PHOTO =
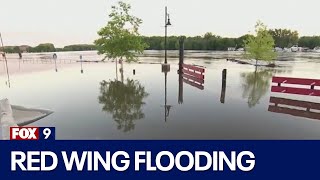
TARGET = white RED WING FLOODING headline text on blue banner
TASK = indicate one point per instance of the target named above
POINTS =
(143, 160)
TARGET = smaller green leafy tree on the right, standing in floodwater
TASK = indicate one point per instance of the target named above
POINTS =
(260, 46)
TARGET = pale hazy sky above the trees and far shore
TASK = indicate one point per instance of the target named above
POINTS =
(64, 22)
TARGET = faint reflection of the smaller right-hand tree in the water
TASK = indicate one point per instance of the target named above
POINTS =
(255, 85)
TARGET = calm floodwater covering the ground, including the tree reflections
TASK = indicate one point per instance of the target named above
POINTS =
(103, 103)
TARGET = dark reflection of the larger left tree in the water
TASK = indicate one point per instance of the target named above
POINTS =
(124, 101)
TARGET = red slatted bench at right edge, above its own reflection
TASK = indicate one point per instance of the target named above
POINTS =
(283, 81)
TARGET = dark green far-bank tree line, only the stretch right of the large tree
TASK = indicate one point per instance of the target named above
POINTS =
(284, 38)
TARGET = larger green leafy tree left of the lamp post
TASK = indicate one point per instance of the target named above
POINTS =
(120, 38)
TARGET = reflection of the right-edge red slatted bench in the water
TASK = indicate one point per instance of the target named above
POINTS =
(294, 104)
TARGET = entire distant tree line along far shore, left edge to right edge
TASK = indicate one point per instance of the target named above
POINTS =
(282, 37)
